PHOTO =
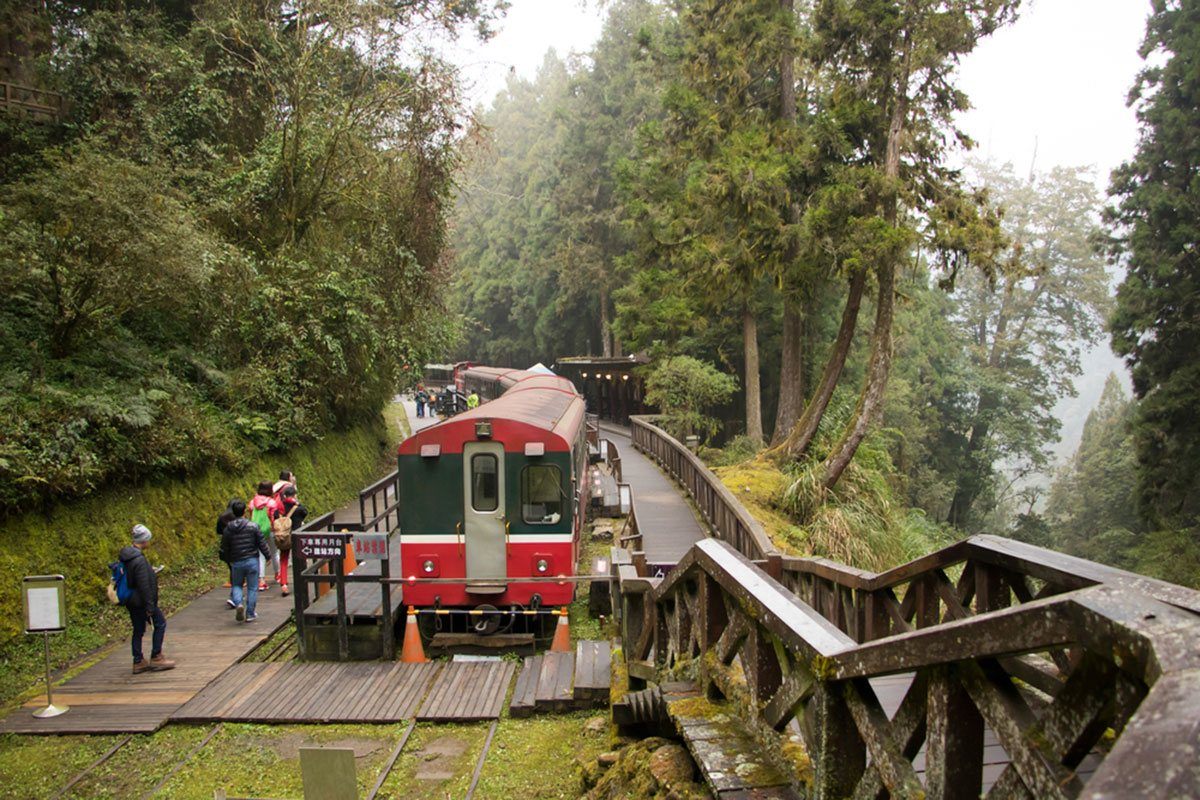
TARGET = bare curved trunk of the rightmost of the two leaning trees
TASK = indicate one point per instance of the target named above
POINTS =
(871, 405)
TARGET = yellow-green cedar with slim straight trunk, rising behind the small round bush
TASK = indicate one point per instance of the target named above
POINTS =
(723, 213)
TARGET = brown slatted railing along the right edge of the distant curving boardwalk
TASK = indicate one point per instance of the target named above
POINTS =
(722, 512)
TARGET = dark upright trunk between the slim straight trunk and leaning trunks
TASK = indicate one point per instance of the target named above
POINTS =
(791, 389)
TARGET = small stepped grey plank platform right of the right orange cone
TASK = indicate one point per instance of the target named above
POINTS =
(563, 682)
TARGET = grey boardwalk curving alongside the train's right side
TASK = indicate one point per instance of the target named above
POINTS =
(668, 524)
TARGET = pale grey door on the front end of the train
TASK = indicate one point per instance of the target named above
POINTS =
(484, 516)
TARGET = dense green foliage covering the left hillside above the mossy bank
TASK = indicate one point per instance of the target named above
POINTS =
(235, 243)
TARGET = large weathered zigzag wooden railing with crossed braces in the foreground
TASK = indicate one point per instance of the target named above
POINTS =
(1061, 659)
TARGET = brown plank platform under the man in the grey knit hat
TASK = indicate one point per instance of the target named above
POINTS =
(205, 639)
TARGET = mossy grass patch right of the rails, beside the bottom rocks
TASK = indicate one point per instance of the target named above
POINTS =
(538, 759)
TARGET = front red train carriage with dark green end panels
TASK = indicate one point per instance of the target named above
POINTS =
(494, 496)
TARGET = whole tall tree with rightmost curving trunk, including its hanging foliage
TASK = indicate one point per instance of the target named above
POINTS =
(895, 63)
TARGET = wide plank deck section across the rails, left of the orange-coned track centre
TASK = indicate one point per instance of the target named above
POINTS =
(313, 693)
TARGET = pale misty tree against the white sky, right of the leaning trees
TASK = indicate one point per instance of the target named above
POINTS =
(1027, 329)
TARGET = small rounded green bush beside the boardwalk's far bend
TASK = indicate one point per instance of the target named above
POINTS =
(685, 389)
